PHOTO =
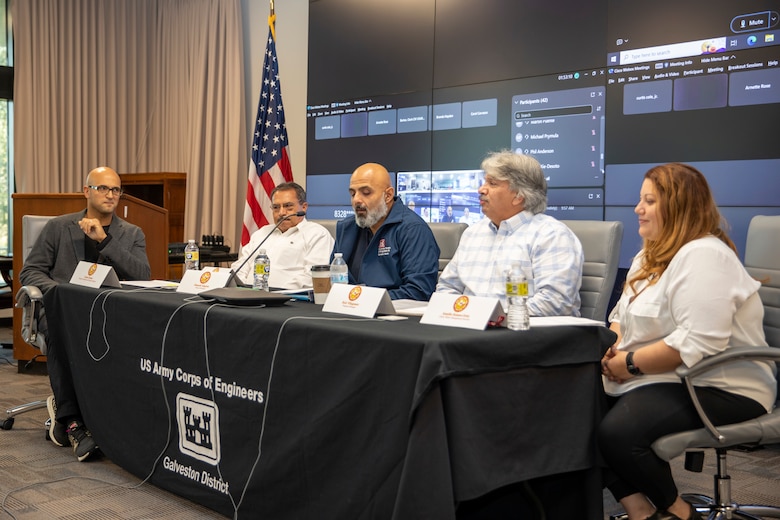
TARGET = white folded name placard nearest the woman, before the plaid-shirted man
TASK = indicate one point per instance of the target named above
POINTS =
(459, 310)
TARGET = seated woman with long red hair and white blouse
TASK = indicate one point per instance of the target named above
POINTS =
(687, 296)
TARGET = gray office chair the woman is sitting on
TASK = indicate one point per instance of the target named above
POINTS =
(762, 260)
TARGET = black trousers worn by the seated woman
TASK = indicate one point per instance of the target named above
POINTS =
(638, 418)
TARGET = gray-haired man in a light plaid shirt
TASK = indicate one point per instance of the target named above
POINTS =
(516, 230)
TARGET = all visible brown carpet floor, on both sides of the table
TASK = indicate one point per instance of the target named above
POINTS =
(39, 480)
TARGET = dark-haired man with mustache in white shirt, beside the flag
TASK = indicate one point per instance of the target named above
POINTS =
(293, 247)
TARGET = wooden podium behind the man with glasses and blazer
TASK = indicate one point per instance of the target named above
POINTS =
(152, 219)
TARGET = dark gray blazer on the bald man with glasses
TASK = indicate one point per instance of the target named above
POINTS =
(60, 247)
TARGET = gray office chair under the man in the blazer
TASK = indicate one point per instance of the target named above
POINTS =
(30, 300)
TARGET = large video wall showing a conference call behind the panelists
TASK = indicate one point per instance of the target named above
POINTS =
(598, 92)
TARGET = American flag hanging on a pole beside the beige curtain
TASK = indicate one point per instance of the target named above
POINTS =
(270, 163)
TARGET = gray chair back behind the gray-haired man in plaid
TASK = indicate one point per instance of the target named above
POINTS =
(601, 247)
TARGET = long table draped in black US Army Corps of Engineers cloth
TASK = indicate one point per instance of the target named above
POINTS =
(290, 412)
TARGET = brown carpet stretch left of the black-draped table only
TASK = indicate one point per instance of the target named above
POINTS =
(39, 480)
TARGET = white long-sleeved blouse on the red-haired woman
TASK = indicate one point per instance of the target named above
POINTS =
(704, 303)
